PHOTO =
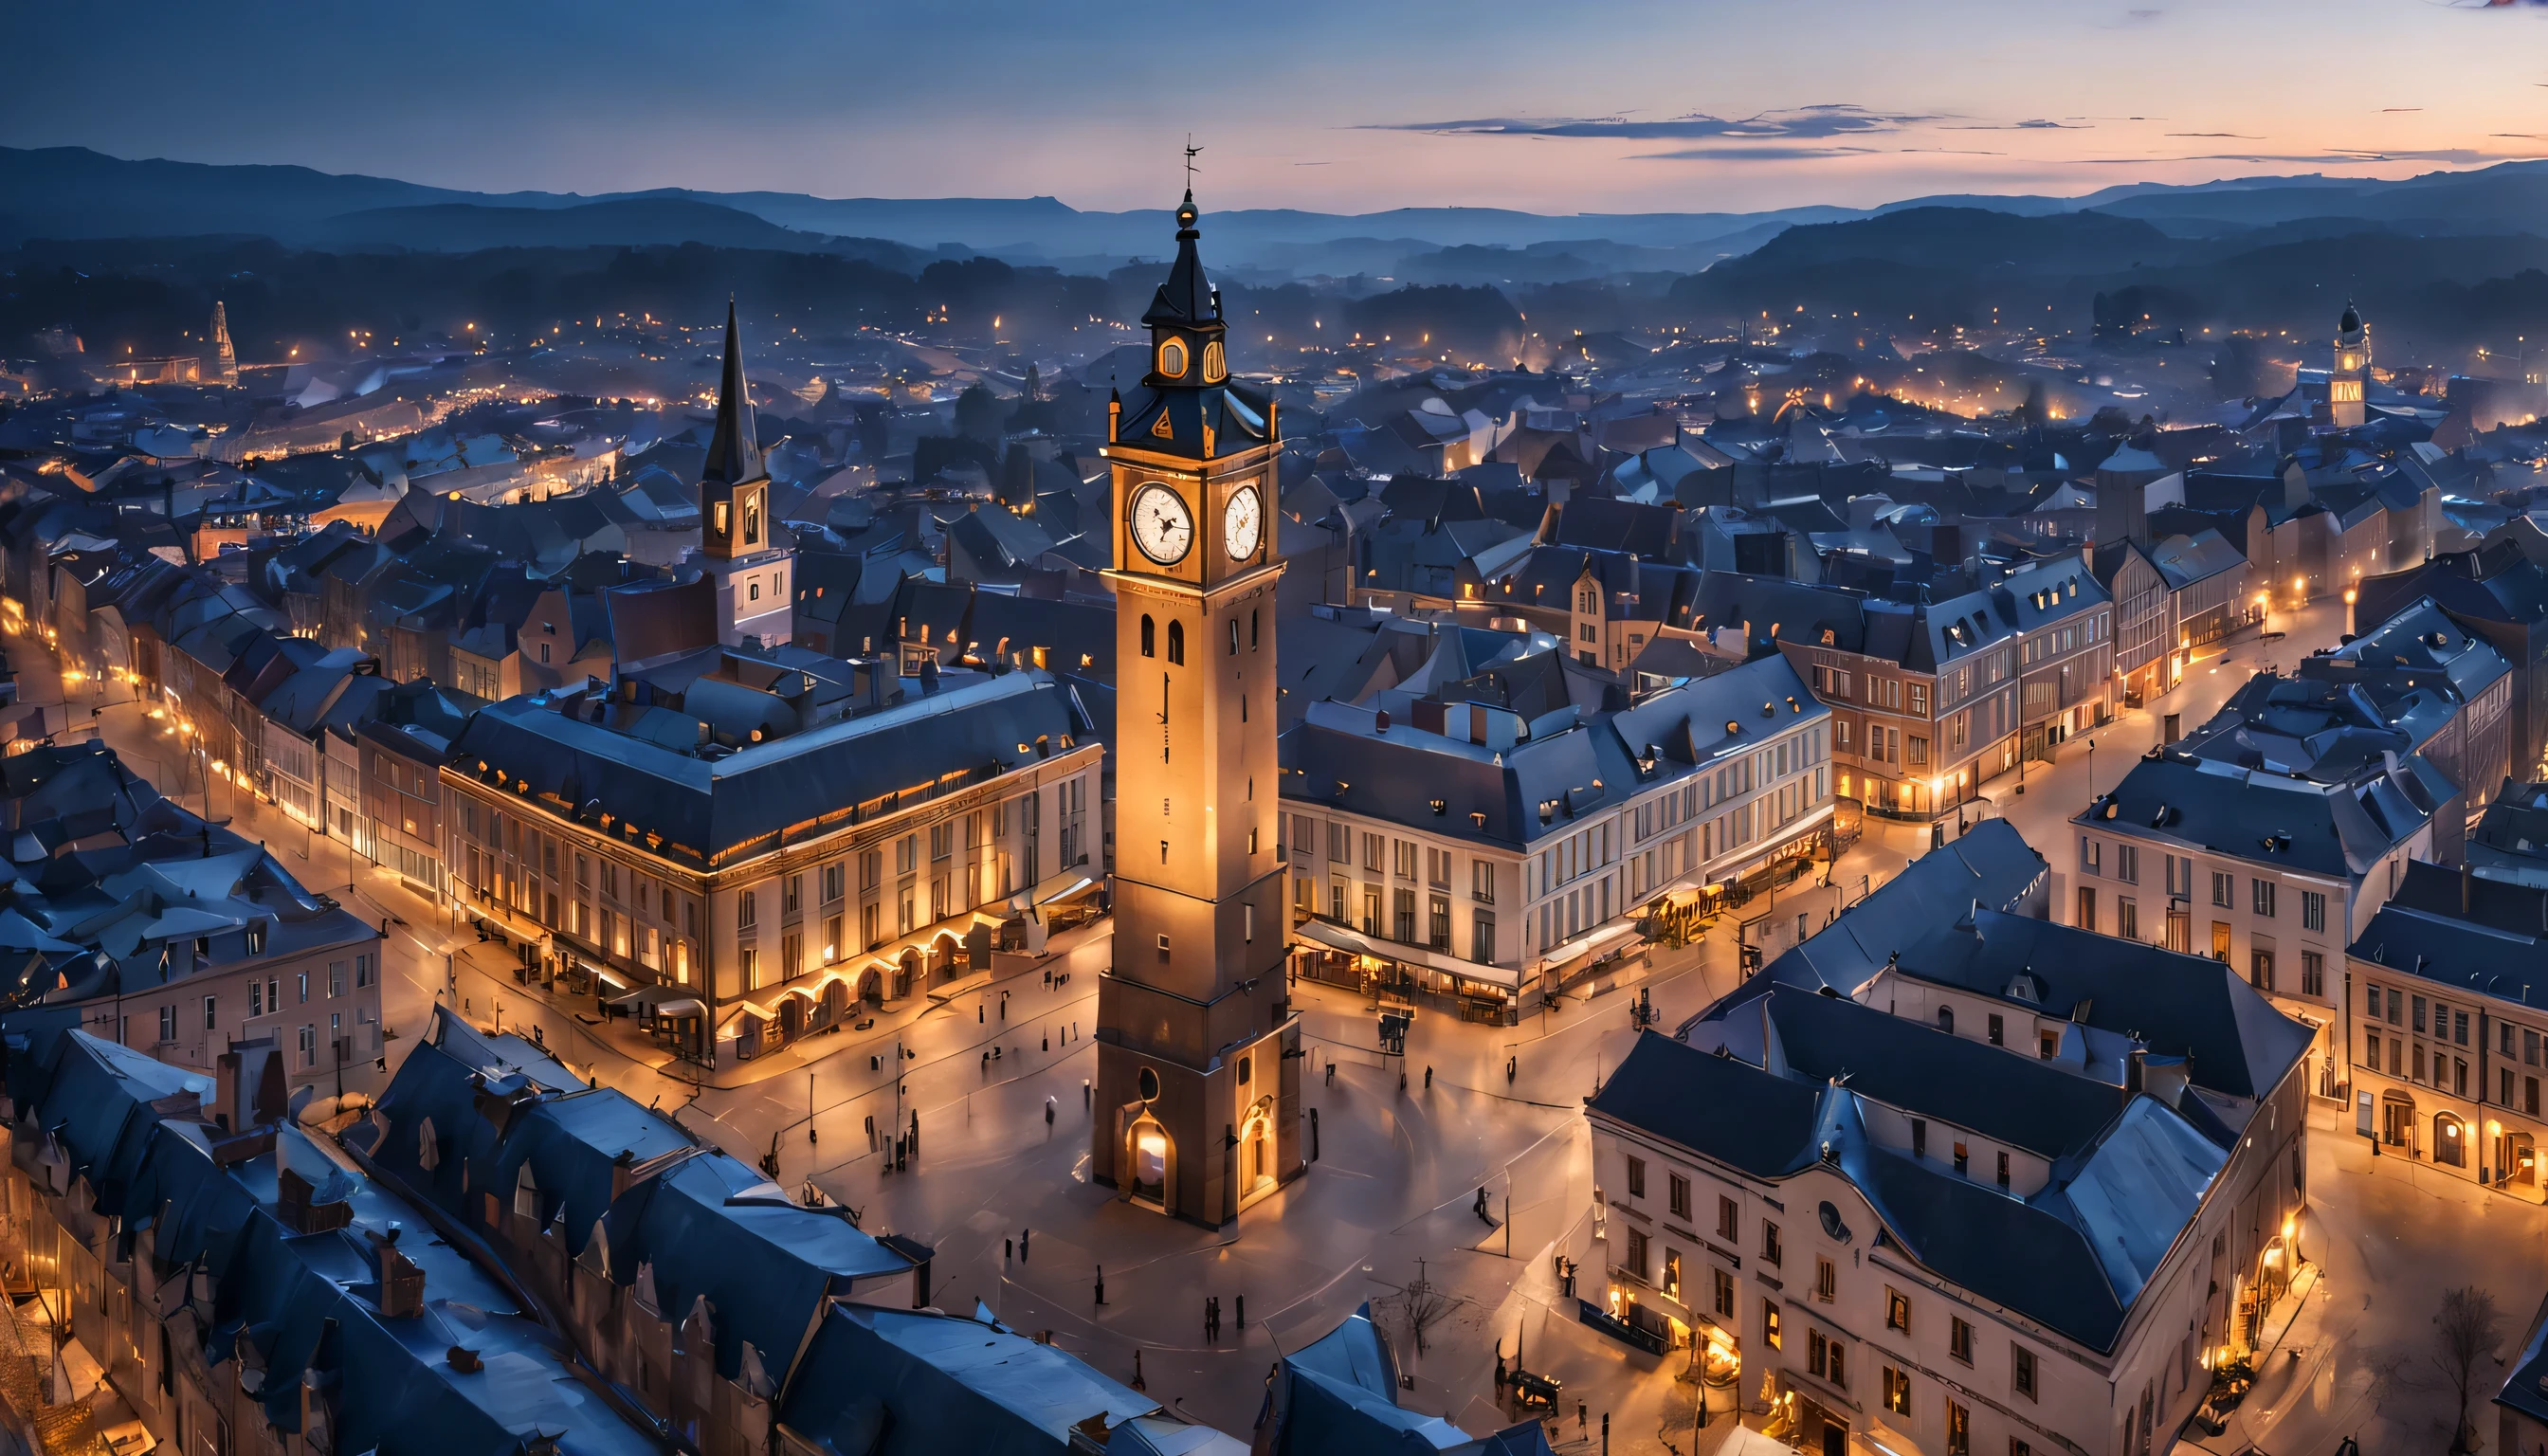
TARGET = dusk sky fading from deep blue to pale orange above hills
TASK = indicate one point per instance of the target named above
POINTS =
(1716, 106)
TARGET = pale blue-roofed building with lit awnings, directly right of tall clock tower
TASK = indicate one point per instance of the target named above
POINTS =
(1479, 830)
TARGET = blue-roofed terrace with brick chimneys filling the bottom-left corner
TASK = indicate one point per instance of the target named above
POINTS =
(223, 1284)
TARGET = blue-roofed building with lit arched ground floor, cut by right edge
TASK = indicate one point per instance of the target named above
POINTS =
(2445, 1021)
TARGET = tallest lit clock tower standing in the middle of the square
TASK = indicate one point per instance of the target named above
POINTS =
(1199, 1052)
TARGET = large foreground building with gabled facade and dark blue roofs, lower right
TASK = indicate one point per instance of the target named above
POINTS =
(1894, 1230)
